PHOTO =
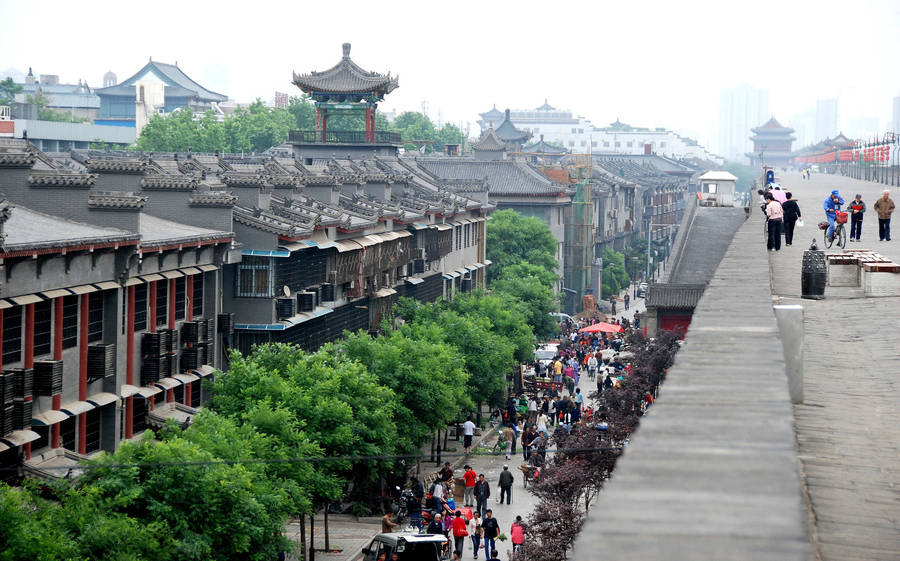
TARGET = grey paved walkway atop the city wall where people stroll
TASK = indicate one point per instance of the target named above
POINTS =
(848, 428)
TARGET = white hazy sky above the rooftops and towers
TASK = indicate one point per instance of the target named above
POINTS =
(646, 62)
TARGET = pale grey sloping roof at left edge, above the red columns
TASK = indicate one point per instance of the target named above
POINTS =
(29, 229)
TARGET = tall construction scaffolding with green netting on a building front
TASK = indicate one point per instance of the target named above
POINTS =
(578, 248)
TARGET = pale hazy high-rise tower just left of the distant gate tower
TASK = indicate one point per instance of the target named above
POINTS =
(740, 109)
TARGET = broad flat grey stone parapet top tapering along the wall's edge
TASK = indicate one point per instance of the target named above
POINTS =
(712, 473)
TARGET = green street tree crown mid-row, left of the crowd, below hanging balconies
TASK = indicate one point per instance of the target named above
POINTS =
(425, 374)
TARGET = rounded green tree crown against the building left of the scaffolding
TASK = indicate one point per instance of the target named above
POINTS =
(512, 238)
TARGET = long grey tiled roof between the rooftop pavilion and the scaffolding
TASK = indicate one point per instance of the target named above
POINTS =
(505, 177)
